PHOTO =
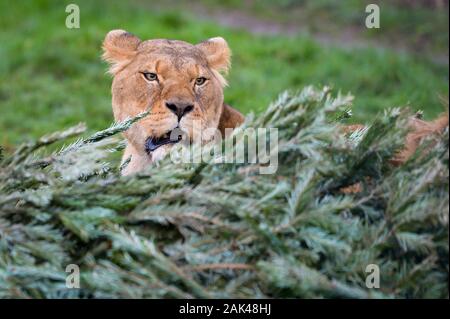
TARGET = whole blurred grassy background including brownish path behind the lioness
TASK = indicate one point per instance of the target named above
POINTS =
(52, 77)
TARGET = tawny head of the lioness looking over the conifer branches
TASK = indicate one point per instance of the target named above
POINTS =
(178, 82)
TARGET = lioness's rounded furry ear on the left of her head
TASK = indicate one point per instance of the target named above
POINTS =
(119, 47)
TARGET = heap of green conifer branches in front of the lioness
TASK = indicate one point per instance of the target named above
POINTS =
(206, 230)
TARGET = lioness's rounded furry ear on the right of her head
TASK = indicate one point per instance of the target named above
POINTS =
(217, 53)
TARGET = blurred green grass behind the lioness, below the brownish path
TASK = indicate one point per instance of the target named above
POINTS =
(52, 77)
